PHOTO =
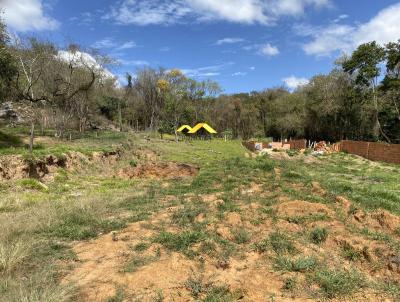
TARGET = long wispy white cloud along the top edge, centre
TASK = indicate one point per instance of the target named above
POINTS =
(264, 12)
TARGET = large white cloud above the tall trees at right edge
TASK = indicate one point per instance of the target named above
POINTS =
(383, 28)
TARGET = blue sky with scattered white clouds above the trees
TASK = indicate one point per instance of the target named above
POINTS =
(245, 45)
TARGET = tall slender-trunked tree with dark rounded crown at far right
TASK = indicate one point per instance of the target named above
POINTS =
(364, 64)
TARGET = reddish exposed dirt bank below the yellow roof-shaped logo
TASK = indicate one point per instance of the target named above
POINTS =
(159, 170)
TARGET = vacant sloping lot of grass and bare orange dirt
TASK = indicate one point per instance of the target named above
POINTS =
(127, 217)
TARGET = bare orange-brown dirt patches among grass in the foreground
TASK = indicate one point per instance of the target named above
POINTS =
(99, 272)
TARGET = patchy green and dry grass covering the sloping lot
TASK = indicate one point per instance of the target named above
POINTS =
(41, 223)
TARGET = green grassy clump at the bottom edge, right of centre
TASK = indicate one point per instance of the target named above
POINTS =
(335, 283)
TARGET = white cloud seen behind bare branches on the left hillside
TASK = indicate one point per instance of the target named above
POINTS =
(81, 59)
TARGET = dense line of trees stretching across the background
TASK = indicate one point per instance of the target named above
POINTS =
(70, 90)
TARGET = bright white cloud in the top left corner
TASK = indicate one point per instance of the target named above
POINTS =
(27, 15)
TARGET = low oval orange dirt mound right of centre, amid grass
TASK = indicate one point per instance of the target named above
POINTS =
(302, 208)
